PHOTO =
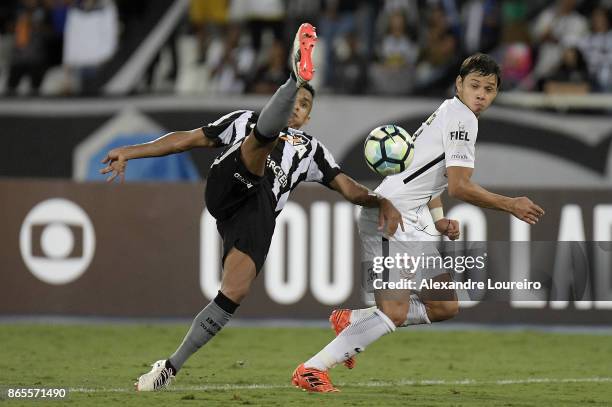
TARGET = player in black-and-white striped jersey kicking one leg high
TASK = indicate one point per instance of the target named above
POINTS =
(266, 156)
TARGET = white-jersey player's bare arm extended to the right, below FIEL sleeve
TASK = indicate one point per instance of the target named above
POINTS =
(460, 186)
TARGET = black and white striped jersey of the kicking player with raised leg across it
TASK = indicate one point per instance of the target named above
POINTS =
(297, 156)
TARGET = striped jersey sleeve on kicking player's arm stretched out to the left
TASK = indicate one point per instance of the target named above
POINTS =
(230, 128)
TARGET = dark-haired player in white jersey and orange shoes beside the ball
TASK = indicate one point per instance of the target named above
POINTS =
(444, 157)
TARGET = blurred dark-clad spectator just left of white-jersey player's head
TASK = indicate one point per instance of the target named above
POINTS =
(438, 54)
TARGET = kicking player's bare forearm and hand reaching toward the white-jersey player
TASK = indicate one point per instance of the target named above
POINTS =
(358, 194)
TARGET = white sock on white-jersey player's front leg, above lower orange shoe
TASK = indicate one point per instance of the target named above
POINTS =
(354, 339)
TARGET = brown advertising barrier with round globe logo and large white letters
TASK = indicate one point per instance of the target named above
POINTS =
(116, 250)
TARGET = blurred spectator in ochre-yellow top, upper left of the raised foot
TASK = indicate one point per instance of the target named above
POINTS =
(208, 19)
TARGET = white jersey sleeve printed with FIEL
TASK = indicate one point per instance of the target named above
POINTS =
(460, 141)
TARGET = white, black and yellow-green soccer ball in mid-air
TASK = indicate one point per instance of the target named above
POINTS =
(388, 150)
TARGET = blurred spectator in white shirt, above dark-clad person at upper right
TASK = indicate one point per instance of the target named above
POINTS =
(556, 27)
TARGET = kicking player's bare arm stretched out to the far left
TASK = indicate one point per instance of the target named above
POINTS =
(171, 143)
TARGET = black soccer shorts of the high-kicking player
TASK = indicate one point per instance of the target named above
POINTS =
(243, 206)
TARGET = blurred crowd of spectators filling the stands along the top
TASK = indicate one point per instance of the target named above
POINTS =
(383, 47)
